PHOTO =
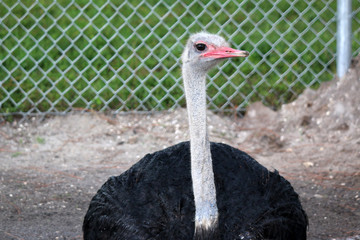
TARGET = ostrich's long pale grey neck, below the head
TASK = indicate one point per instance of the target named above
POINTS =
(206, 212)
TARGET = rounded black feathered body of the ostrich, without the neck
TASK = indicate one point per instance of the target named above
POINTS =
(154, 200)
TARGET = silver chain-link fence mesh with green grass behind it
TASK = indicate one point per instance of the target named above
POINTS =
(115, 55)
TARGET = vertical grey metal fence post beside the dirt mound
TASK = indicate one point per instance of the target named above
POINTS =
(343, 36)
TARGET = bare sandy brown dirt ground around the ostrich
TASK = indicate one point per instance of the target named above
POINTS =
(51, 169)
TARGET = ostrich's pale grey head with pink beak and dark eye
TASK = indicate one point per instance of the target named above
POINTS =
(204, 50)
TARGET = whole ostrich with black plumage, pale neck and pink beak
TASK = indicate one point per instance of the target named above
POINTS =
(197, 189)
